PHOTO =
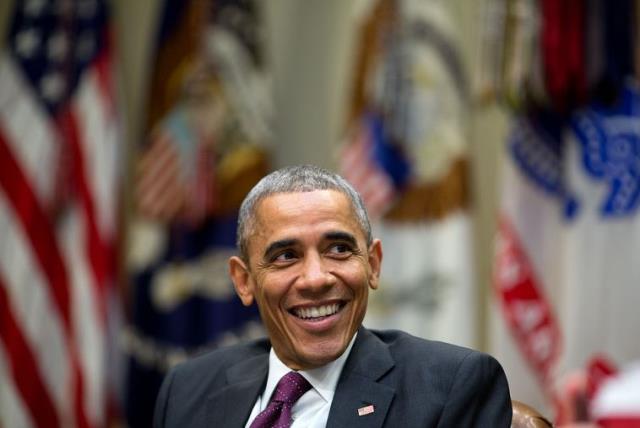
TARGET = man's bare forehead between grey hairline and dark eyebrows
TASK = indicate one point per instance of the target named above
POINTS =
(295, 212)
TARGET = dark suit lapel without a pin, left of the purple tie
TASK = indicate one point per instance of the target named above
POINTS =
(232, 404)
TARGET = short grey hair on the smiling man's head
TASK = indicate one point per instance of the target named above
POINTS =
(299, 178)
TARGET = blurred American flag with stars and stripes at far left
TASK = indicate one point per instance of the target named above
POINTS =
(58, 203)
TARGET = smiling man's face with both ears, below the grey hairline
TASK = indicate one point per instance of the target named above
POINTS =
(309, 271)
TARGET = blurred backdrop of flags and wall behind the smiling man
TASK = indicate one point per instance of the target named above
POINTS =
(496, 144)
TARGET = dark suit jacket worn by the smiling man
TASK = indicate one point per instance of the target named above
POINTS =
(411, 382)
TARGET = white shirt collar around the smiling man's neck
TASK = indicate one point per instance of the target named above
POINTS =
(323, 379)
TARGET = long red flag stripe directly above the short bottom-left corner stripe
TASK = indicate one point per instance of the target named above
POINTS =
(40, 233)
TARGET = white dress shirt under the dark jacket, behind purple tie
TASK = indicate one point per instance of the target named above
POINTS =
(312, 409)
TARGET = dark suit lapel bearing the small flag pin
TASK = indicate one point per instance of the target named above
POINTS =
(359, 388)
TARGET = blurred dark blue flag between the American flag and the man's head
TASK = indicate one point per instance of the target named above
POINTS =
(205, 148)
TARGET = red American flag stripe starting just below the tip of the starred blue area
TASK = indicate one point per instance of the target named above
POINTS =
(95, 246)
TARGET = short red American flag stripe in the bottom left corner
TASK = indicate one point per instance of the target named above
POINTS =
(26, 373)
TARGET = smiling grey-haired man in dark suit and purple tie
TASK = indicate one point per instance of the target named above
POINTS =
(308, 260)
